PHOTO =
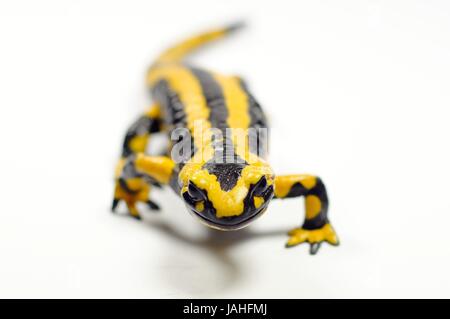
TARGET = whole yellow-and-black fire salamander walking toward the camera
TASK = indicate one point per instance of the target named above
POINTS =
(225, 181)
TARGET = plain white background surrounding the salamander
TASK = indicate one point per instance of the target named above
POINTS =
(356, 91)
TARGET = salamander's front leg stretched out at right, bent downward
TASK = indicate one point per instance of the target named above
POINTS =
(316, 227)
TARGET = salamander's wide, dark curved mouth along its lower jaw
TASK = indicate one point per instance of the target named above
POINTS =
(229, 223)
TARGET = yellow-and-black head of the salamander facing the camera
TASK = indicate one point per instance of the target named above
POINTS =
(227, 196)
